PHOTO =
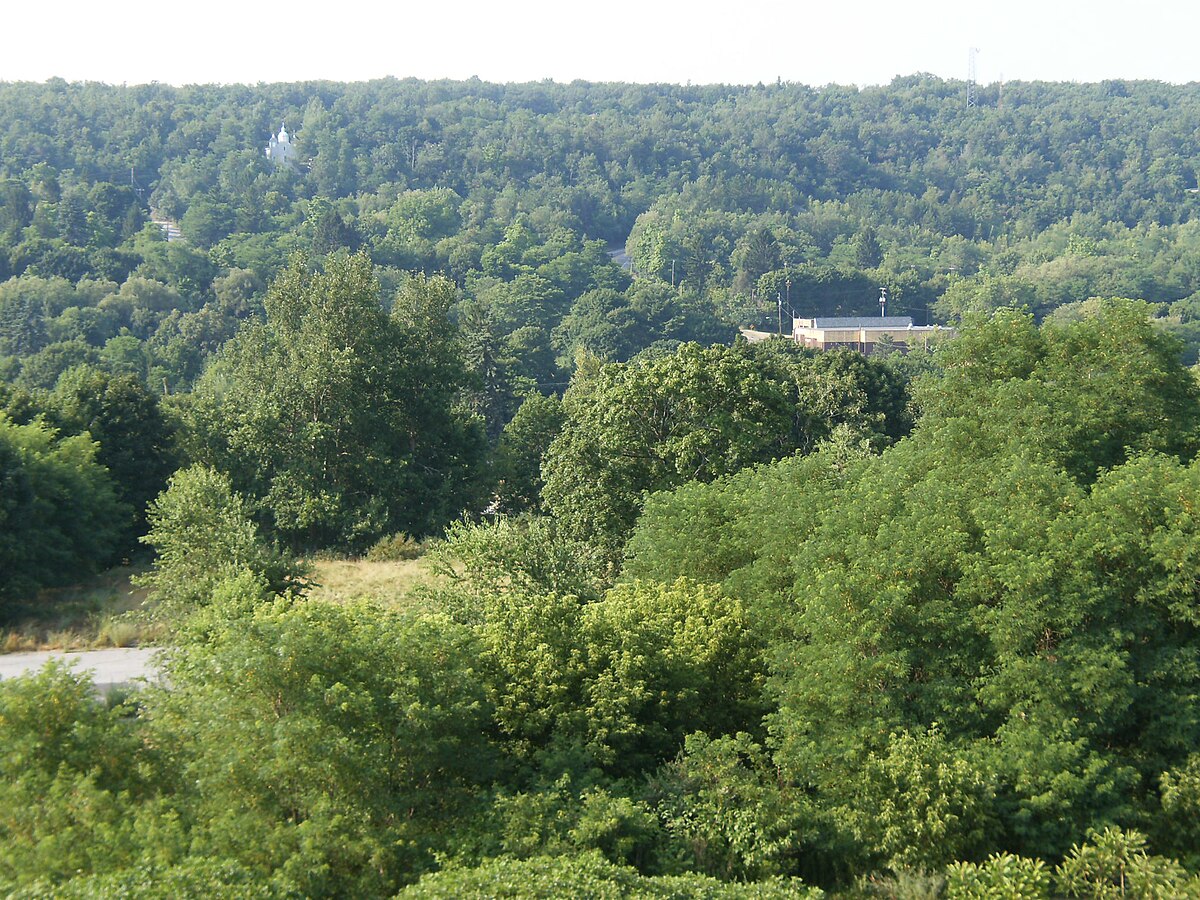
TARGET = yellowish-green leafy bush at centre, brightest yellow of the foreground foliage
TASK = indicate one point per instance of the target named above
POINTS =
(619, 683)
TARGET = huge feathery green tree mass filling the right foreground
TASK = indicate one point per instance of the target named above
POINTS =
(1019, 574)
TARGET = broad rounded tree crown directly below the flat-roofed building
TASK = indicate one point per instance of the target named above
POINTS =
(698, 415)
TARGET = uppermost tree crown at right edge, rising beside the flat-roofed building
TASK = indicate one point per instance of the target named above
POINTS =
(1085, 394)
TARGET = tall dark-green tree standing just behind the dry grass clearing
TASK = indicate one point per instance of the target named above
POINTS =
(338, 418)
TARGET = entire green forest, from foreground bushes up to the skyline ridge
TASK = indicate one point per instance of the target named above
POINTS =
(711, 619)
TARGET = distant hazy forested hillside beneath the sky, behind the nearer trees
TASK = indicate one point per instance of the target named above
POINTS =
(1043, 195)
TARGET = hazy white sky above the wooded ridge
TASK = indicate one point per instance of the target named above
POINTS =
(749, 41)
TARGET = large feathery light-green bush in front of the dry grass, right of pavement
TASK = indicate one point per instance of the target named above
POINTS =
(338, 747)
